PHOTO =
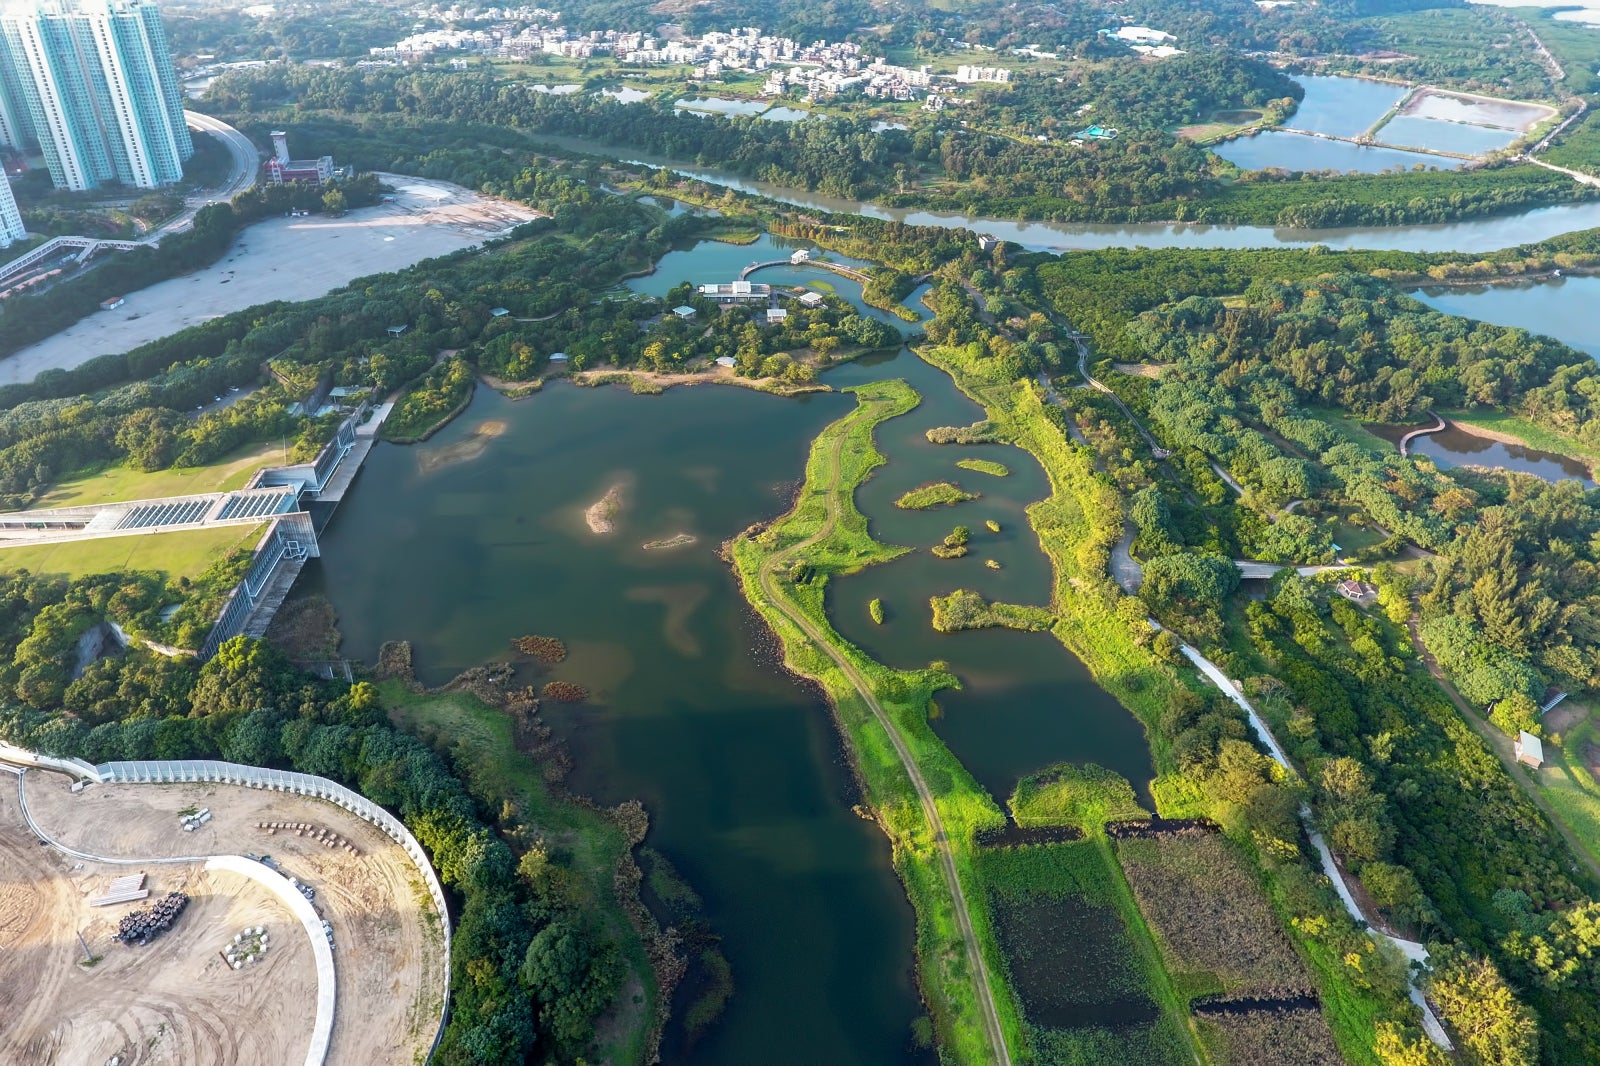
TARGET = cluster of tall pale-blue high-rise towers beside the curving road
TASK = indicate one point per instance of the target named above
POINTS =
(92, 84)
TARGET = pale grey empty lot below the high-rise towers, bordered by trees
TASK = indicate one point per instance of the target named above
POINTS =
(284, 258)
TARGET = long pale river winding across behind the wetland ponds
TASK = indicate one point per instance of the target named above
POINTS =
(1486, 234)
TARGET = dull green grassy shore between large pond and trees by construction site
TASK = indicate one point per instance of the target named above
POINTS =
(484, 750)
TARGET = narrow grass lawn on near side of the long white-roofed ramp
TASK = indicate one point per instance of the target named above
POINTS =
(177, 555)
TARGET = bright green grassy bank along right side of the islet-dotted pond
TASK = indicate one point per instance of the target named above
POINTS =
(1078, 526)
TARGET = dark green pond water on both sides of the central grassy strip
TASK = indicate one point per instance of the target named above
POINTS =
(740, 766)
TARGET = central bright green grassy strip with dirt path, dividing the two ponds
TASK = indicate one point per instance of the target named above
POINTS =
(884, 715)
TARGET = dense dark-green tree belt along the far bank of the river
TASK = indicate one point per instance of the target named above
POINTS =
(991, 164)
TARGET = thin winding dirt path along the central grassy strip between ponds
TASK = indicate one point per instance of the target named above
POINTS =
(903, 751)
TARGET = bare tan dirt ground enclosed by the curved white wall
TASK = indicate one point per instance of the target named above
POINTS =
(388, 960)
